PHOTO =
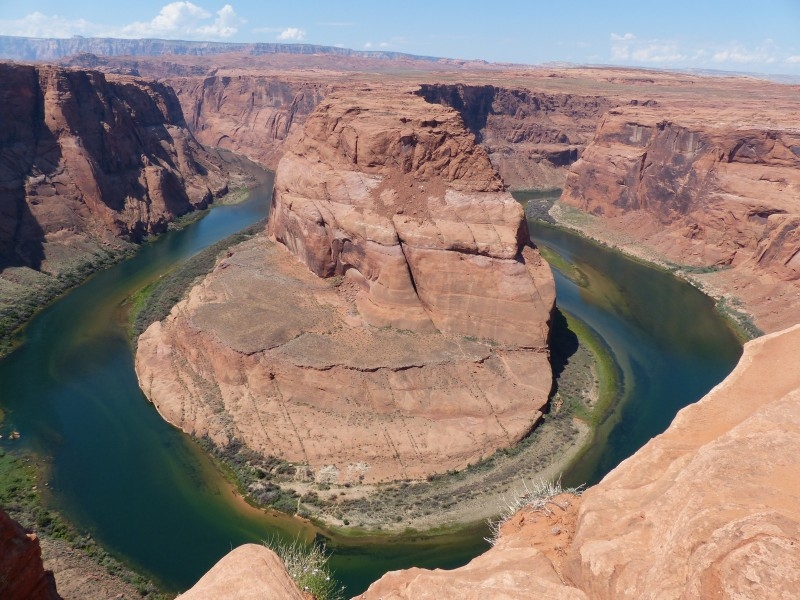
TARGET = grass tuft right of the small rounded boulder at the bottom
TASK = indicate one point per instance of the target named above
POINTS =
(308, 568)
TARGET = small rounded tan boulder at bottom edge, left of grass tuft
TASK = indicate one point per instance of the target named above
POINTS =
(248, 572)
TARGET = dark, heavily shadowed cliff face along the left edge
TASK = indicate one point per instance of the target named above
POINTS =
(87, 154)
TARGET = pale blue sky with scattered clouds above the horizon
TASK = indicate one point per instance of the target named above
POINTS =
(759, 36)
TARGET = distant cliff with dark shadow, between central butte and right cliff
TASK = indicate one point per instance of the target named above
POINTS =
(531, 136)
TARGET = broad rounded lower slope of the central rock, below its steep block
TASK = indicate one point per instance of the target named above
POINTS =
(266, 352)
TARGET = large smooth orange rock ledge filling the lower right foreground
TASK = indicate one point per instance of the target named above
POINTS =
(706, 510)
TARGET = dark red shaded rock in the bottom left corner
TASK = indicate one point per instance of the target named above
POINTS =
(22, 576)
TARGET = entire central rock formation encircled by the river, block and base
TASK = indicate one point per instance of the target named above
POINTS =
(410, 337)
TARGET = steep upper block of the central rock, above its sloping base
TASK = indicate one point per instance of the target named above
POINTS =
(400, 201)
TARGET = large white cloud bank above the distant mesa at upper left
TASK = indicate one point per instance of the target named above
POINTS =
(175, 20)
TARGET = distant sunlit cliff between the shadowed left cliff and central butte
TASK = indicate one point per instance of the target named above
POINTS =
(249, 114)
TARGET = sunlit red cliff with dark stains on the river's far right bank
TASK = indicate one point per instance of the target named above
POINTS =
(702, 190)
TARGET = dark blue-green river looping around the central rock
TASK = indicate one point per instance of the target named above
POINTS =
(147, 493)
